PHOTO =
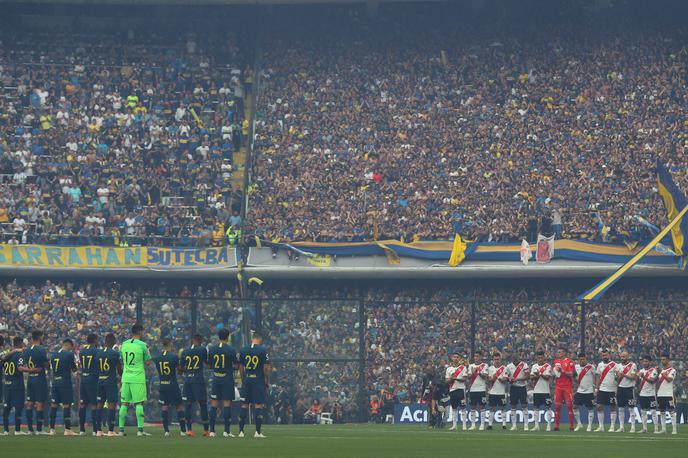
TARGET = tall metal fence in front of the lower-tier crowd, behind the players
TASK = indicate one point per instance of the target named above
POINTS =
(343, 349)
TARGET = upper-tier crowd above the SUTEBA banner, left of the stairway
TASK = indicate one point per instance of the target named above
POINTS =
(119, 139)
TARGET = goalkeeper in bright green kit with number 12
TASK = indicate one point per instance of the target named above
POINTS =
(135, 356)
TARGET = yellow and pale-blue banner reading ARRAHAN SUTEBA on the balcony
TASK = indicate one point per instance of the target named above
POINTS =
(114, 257)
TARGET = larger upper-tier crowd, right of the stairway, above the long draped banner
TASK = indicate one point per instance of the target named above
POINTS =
(373, 127)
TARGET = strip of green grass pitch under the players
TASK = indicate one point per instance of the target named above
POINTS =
(354, 441)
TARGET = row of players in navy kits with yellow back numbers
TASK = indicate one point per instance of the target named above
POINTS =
(98, 369)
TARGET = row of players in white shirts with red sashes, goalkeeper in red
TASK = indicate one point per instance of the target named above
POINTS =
(469, 388)
